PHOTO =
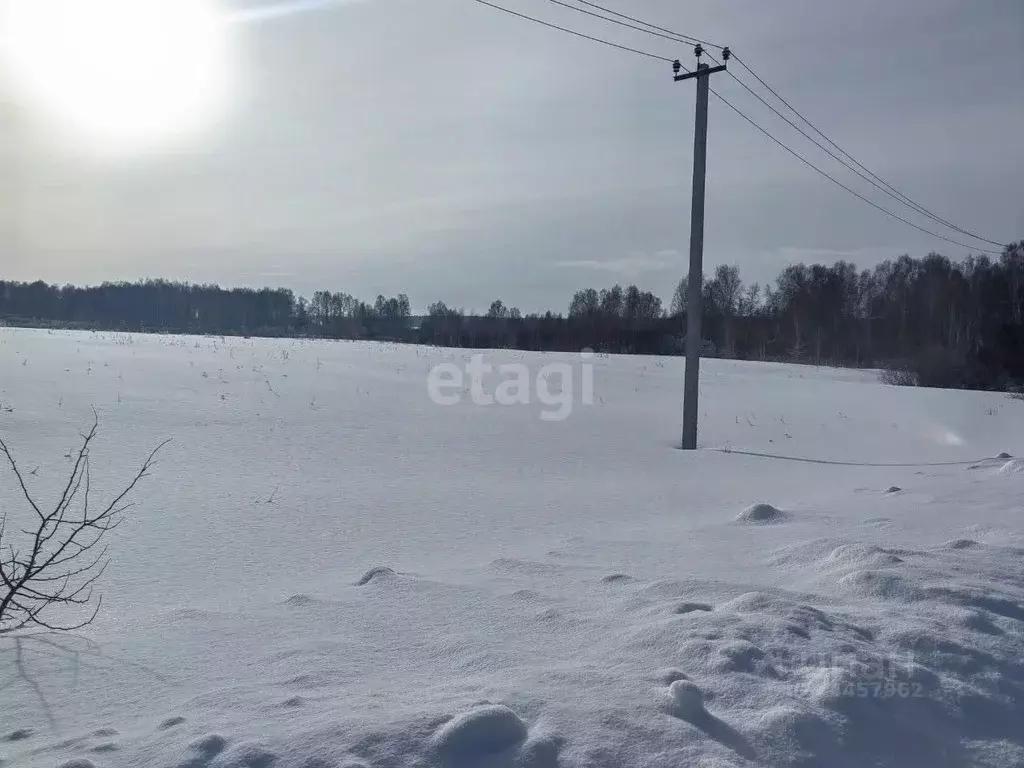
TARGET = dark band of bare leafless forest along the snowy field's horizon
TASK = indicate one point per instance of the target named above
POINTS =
(932, 322)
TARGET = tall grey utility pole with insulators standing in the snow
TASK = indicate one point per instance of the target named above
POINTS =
(694, 304)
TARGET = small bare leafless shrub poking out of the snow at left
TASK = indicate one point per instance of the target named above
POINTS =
(64, 558)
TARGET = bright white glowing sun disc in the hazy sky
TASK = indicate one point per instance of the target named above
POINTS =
(123, 74)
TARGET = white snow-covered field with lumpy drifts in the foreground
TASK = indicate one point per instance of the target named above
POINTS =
(329, 571)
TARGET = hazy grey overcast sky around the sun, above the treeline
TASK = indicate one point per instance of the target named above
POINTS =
(451, 152)
